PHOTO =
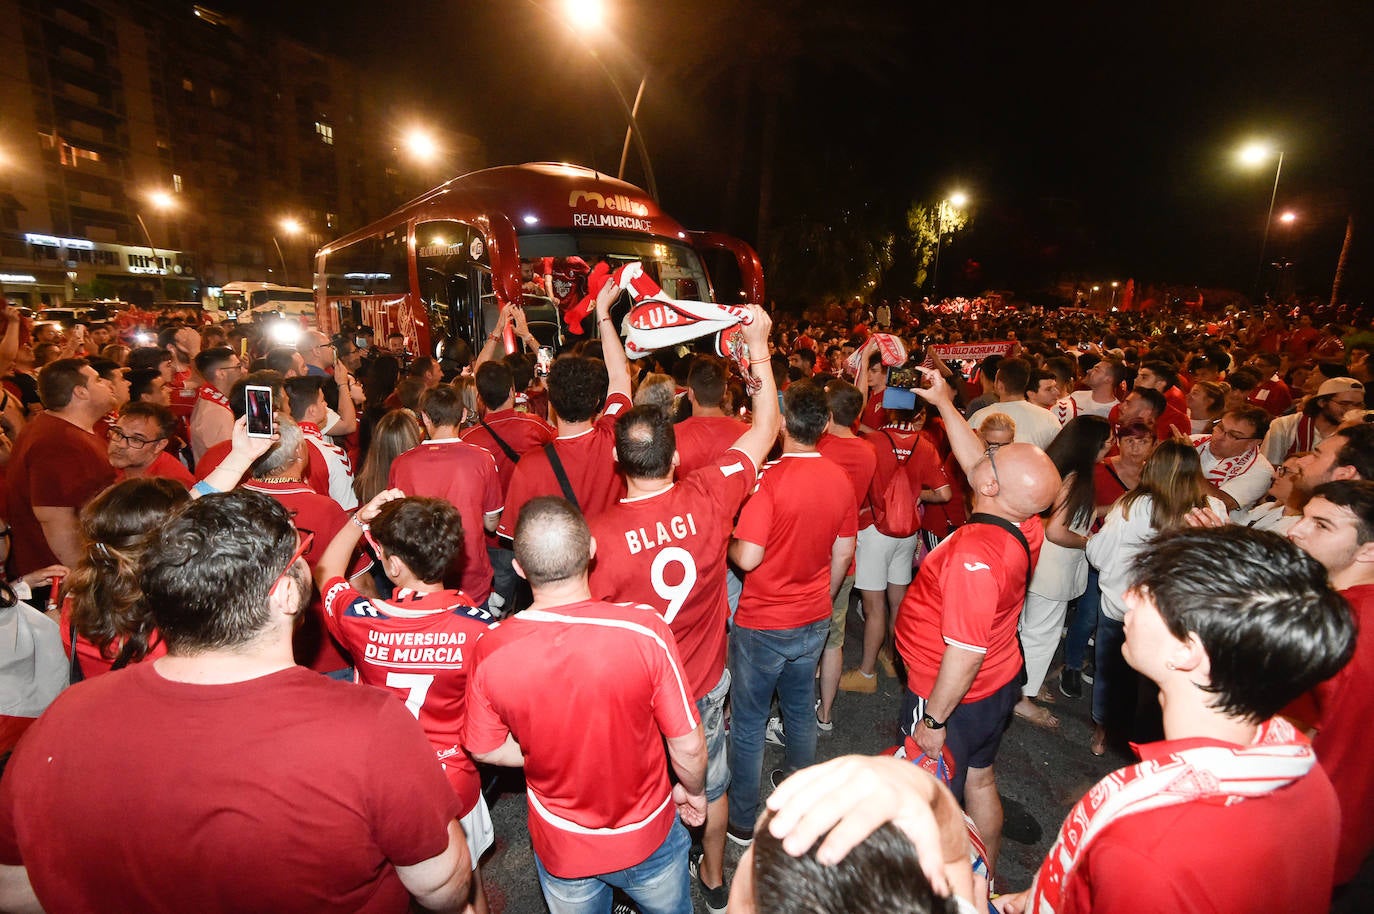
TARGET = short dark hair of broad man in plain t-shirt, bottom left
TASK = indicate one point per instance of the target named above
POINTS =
(210, 570)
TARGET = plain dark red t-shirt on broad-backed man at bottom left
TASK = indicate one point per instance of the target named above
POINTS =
(306, 794)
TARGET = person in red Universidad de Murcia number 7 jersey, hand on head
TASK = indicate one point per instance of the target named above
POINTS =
(418, 643)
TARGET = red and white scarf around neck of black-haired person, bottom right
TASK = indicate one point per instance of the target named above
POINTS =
(1279, 757)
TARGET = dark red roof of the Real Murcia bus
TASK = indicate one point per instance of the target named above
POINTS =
(537, 199)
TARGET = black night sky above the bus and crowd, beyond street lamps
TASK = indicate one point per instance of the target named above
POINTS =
(1096, 140)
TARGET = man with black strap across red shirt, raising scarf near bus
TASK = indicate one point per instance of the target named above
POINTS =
(587, 397)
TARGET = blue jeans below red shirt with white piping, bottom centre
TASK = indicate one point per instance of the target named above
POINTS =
(659, 886)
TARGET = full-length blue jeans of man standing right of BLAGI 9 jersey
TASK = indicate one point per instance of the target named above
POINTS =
(763, 662)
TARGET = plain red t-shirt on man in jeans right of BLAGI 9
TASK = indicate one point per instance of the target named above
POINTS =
(803, 505)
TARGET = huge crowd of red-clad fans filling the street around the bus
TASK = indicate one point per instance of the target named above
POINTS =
(627, 577)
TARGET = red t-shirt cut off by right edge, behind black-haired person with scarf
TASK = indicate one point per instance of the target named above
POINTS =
(1342, 742)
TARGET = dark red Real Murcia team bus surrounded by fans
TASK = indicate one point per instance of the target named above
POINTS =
(440, 269)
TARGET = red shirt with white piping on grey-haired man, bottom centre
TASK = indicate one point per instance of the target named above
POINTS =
(590, 718)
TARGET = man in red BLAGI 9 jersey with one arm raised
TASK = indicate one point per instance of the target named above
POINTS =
(664, 546)
